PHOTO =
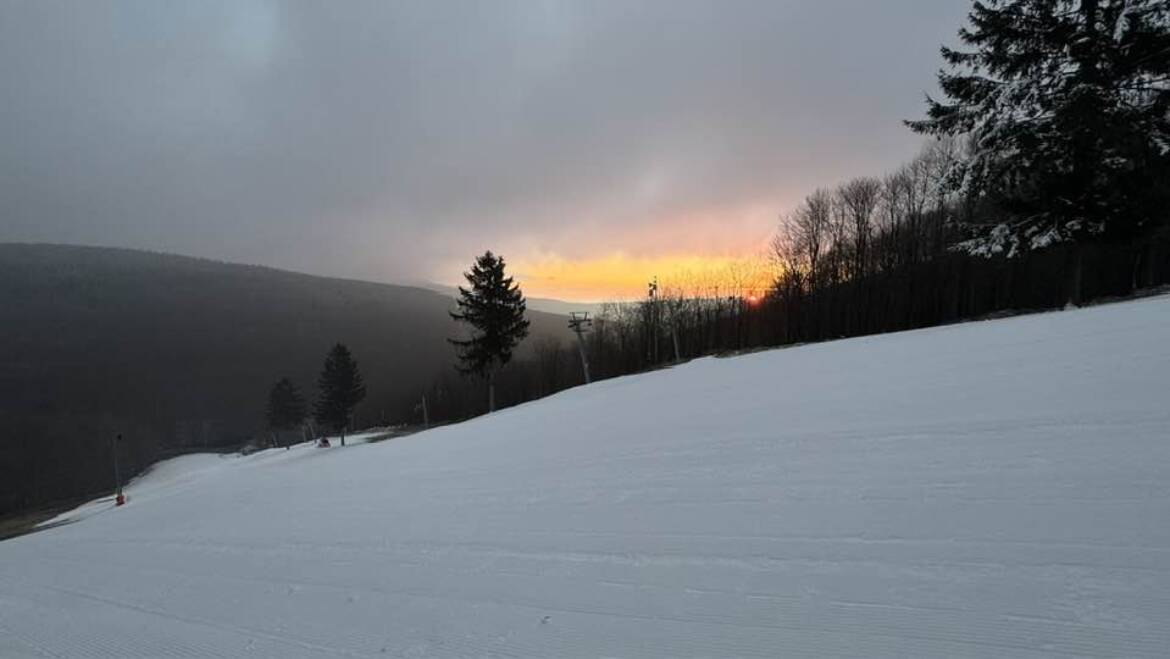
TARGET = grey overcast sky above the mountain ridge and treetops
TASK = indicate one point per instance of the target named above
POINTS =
(395, 141)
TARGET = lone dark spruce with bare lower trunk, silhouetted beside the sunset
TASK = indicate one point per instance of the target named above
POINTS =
(494, 307)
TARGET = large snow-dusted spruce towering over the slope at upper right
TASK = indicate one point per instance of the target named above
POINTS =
(1068, 108)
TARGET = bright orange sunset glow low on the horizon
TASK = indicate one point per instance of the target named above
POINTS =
(622, 277)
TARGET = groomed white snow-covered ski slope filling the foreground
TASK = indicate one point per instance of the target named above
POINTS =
(993, 489)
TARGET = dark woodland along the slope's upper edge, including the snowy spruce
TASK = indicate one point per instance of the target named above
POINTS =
(1045, 183)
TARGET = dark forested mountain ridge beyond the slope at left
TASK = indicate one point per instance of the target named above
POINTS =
(177, 352)
